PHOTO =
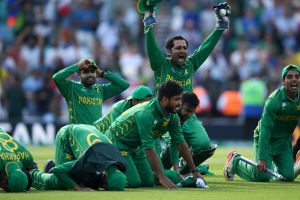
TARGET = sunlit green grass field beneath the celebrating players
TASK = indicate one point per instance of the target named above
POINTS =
(219, 187)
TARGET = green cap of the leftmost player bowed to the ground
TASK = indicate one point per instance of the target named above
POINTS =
(17, 179)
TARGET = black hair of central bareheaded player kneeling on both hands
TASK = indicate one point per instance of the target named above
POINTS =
(169, 89)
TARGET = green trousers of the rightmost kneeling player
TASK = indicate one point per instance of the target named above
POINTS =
(280, 159)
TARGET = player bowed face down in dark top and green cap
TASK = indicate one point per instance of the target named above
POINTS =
(101, 166)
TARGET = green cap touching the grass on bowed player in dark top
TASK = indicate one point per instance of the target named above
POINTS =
(116, 180)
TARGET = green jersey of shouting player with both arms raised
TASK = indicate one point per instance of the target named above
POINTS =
(165, 70)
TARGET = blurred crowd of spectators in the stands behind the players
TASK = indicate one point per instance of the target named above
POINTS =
(40, 37)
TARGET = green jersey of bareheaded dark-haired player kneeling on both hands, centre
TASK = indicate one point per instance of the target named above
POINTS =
(142, 124)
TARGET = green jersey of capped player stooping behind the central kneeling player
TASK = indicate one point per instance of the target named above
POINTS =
(115, 111)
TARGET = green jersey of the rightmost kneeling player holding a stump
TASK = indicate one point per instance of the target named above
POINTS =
(279, 119)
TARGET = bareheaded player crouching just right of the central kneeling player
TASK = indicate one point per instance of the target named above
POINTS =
(198, 143)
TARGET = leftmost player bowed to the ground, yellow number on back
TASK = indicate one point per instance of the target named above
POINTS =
(14, 161)
